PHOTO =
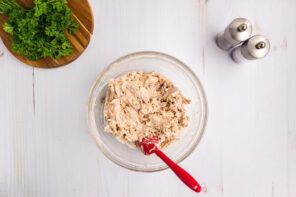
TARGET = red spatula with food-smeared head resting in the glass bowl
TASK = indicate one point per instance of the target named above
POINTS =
(148, 147)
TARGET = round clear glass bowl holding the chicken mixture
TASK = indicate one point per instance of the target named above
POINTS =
(182, 77)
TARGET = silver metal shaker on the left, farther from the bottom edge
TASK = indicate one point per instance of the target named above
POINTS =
(239, 30)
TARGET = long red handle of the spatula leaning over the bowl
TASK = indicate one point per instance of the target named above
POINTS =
(180, 172)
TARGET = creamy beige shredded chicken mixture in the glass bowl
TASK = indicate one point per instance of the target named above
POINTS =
(144, 104)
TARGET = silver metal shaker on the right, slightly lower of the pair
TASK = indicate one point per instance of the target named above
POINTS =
(256, 47)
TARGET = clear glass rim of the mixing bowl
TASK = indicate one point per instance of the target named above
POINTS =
(95, 135)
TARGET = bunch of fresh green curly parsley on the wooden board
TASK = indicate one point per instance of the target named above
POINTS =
(39, 32)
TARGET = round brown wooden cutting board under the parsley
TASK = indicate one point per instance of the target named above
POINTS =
(82, 13)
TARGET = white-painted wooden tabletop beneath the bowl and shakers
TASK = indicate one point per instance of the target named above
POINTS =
(248, 150)
